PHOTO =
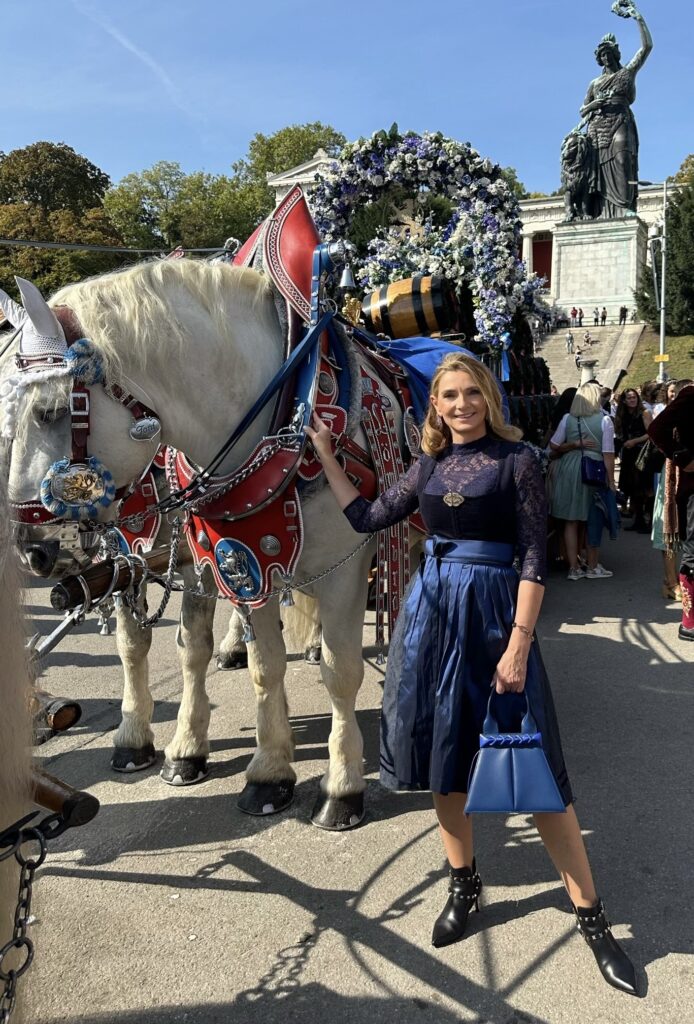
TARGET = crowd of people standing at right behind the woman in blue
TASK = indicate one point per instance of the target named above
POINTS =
(652, 490)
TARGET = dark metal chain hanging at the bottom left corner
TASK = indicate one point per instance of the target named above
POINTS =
(20, 941)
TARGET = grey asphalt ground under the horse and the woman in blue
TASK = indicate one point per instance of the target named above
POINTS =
(173, 907)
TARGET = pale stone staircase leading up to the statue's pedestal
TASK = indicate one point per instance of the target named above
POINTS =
(613, 349)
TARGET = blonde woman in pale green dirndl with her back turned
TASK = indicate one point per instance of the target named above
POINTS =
(585, 431)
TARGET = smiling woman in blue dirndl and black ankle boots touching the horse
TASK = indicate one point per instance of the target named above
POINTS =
(467, 626)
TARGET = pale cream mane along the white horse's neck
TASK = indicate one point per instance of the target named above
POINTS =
(133, 311)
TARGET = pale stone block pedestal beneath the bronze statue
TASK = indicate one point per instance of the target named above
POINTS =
(597, 264)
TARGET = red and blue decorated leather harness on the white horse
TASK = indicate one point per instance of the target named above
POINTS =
(246, 526)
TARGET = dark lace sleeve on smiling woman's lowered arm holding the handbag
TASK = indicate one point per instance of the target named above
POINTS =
(531, 517)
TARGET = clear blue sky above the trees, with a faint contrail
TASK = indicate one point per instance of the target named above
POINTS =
(132, 82)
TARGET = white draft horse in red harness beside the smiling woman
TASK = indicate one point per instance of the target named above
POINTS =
(198, 345)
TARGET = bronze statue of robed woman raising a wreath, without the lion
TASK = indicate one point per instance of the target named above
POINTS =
(611, 124)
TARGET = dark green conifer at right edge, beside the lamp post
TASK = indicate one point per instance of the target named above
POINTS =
(680, 272)
